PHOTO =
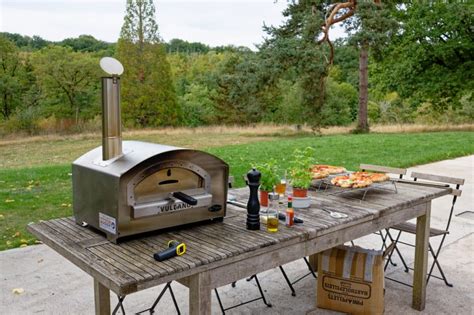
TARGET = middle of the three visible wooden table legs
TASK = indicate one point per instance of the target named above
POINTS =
(199, 294)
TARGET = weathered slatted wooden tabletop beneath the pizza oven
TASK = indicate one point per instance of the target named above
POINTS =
(128, 267)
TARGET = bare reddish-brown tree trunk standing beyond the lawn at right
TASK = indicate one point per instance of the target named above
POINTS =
(363, 125)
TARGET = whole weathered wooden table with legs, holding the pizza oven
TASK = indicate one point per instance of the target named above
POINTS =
(223, 252)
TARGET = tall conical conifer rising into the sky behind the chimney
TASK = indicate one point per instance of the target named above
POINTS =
(148, 95)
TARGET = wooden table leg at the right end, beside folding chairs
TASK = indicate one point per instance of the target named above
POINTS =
(421, 259)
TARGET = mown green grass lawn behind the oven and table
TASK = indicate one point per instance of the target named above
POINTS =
(43, 192)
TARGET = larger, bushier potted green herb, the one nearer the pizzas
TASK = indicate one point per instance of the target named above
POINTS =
(300, 171)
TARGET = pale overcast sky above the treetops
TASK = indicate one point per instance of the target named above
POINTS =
(217, 22)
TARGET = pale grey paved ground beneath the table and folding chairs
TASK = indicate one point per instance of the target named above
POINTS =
(52, 285)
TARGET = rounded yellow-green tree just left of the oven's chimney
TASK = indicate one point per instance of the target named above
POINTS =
(67, 77)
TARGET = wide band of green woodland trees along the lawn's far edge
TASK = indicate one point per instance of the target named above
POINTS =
(422, 73)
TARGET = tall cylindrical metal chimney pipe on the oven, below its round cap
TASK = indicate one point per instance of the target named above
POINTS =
(111, 122)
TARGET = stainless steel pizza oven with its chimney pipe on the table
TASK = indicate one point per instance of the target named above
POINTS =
(127, 188)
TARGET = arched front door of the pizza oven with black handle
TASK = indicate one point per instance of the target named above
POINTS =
(168, 187)
